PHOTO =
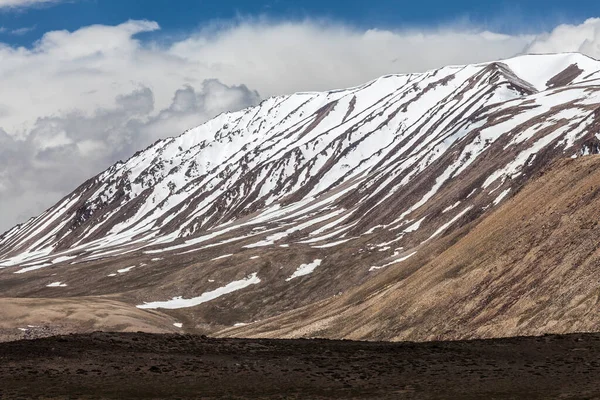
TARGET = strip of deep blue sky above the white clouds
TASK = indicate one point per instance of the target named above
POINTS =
(177, 17)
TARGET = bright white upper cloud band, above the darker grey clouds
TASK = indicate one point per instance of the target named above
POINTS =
(89, 67)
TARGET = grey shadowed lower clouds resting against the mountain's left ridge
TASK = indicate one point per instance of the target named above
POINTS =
(62, 151)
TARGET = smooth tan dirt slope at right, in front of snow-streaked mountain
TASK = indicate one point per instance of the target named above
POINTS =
(531, 267)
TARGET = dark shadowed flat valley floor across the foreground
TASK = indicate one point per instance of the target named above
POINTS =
(138, 365)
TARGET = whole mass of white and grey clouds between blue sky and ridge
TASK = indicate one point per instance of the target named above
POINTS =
(76, 102)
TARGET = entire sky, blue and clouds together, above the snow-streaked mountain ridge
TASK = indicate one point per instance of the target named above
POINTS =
(86, 83)
